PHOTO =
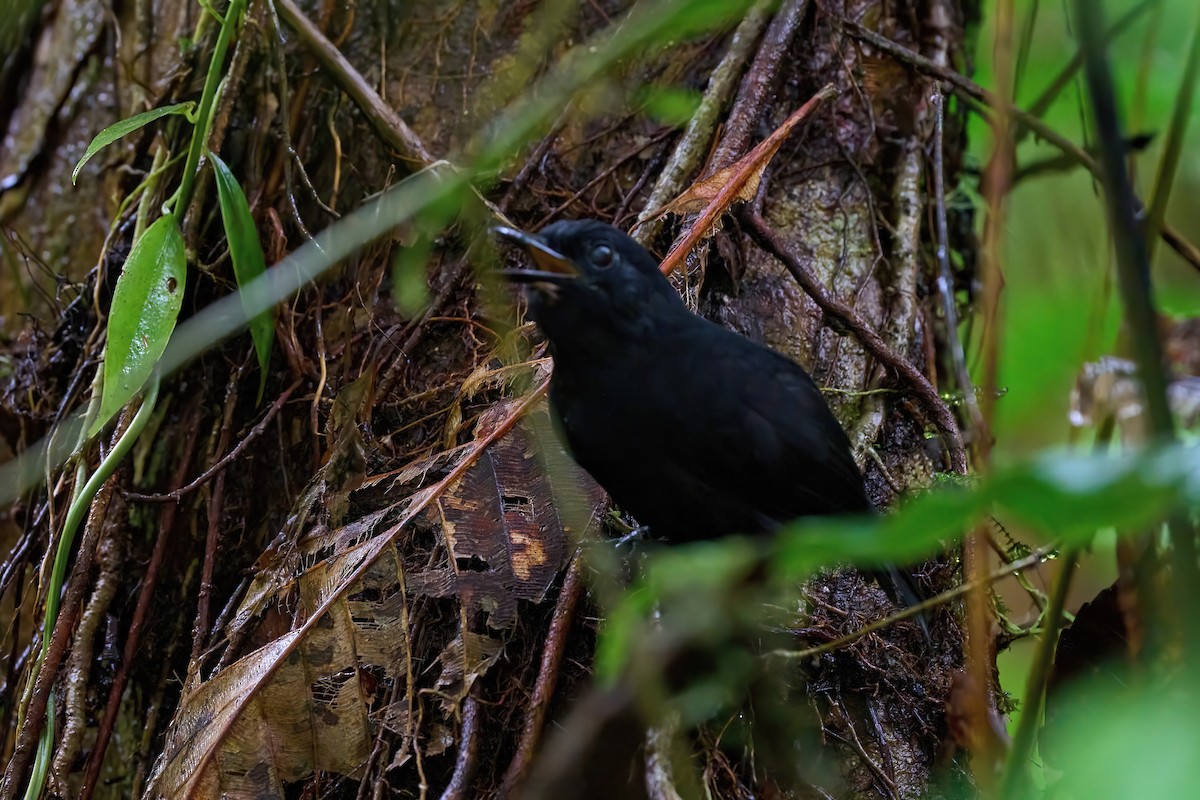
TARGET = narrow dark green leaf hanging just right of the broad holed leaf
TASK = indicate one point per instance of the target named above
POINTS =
(247, 251)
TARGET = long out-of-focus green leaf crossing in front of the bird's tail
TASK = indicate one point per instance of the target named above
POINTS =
(1066, 496)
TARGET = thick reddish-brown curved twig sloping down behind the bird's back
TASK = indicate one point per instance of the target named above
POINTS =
(937, 407)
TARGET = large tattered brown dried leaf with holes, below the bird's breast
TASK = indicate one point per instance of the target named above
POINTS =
(303, 702)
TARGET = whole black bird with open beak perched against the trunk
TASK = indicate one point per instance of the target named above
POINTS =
(697, 431)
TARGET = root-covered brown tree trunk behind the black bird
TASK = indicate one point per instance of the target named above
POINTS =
(377, 593)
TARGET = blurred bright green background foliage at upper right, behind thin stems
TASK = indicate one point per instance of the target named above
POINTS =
(1060, 305)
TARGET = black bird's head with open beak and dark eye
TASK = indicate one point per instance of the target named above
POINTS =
(591, 280)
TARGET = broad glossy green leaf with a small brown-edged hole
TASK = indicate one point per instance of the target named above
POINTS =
(146, 305)
